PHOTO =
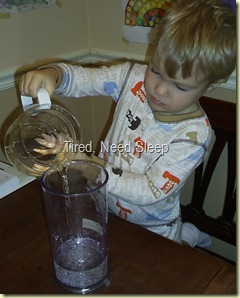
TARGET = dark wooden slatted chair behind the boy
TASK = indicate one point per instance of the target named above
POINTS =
(222, 116)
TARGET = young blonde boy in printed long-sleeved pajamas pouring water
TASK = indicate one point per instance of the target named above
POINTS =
(159, 129)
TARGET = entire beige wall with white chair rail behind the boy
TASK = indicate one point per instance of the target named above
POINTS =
(82, 31)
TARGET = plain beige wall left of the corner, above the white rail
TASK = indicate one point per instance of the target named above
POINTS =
(43, 33)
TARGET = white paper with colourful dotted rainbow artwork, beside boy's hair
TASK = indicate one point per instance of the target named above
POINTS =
(141, 18)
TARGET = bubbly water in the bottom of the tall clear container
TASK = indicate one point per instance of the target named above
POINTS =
(80, 263)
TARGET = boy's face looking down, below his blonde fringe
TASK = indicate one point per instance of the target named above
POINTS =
(173, 96)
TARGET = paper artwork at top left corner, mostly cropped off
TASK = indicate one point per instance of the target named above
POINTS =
(14, 6)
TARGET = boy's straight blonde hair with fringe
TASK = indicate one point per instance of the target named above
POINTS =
(198, 37)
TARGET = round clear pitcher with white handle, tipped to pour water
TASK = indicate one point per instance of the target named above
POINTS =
(38, 120)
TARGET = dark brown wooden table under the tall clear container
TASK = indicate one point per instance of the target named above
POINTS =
(140, 261)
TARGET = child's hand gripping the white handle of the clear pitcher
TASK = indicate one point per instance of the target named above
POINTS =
(31, 81)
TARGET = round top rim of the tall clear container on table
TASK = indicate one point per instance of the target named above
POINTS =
(75, 194)
